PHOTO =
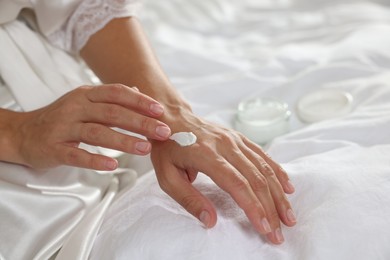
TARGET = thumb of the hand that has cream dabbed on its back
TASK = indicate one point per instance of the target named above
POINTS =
(176, 184)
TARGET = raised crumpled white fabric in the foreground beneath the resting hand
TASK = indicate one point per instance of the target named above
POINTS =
(341, 203)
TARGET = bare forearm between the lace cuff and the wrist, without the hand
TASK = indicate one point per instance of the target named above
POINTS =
(121, 53)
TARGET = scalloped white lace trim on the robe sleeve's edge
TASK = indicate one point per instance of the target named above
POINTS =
(89, 17)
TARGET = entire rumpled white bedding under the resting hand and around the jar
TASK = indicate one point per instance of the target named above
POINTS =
(341, 168)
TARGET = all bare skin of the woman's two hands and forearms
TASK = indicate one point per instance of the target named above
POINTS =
(121, 57)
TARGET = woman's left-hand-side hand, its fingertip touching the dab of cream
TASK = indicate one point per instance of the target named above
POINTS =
(50, 136)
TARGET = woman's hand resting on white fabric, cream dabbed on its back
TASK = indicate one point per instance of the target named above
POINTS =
(238, 166)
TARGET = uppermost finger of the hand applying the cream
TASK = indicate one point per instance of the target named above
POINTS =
(127, 97)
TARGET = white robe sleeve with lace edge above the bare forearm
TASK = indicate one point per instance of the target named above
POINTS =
(69, 24)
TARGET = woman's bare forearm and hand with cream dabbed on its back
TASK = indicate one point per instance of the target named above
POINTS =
(121, 53)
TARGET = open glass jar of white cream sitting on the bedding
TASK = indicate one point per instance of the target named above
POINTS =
(262, 119)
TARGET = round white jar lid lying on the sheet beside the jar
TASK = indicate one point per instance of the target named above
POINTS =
(324, 104)
